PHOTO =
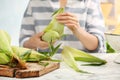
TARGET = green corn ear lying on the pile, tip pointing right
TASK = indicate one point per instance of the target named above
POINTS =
(28, 54)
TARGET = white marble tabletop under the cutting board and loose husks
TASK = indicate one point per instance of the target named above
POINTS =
(109, 71)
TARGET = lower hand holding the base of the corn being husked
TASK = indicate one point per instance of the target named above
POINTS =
(36, 42)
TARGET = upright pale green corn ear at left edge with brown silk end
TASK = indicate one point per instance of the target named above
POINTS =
(5, 47)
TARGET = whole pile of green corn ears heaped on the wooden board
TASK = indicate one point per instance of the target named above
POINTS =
(16, 56)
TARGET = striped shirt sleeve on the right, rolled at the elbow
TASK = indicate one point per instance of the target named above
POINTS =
(95, 24)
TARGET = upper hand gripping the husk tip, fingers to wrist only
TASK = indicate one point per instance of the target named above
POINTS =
(68, 19)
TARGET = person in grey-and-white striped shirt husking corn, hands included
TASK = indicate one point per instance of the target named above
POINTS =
(84, 25)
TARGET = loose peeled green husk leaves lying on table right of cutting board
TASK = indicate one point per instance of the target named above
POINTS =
(70, 54)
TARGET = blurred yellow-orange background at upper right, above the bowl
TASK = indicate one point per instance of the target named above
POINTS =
(111, 12)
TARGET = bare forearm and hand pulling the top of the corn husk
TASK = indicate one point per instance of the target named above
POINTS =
(70, 20)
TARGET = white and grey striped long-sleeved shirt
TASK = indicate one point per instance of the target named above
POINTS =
(38, 15)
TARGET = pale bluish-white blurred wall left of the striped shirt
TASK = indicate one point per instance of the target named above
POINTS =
(11, 12)
